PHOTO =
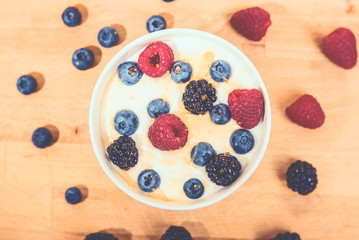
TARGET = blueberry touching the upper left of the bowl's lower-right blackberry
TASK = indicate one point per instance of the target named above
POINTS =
(202, 154)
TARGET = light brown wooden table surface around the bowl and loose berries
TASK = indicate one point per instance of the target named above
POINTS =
(33, 39)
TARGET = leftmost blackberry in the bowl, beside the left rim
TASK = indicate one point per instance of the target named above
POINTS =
(123, 152)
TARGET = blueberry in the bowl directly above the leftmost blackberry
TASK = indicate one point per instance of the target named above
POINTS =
(126, 122)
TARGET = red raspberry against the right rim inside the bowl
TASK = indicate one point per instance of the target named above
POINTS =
(246, 106)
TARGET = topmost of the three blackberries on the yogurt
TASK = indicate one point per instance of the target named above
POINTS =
(199, 96)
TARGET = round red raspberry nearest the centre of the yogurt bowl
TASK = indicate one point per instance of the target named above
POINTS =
(168, 132)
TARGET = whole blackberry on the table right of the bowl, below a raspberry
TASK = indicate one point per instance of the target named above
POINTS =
(302, 177)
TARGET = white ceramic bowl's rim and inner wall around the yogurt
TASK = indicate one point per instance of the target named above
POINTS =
(122, 56)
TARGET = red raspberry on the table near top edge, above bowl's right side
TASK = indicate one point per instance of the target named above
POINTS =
(252, 23)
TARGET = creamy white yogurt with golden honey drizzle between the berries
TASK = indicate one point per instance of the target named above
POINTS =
(176, 167)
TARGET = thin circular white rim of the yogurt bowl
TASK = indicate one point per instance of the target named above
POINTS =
(97, 95)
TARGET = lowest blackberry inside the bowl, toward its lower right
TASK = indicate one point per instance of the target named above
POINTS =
(223, 169)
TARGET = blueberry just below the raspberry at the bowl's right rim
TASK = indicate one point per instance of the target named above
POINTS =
(242, 141)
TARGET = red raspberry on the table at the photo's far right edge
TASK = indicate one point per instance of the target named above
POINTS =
(340, 47)
